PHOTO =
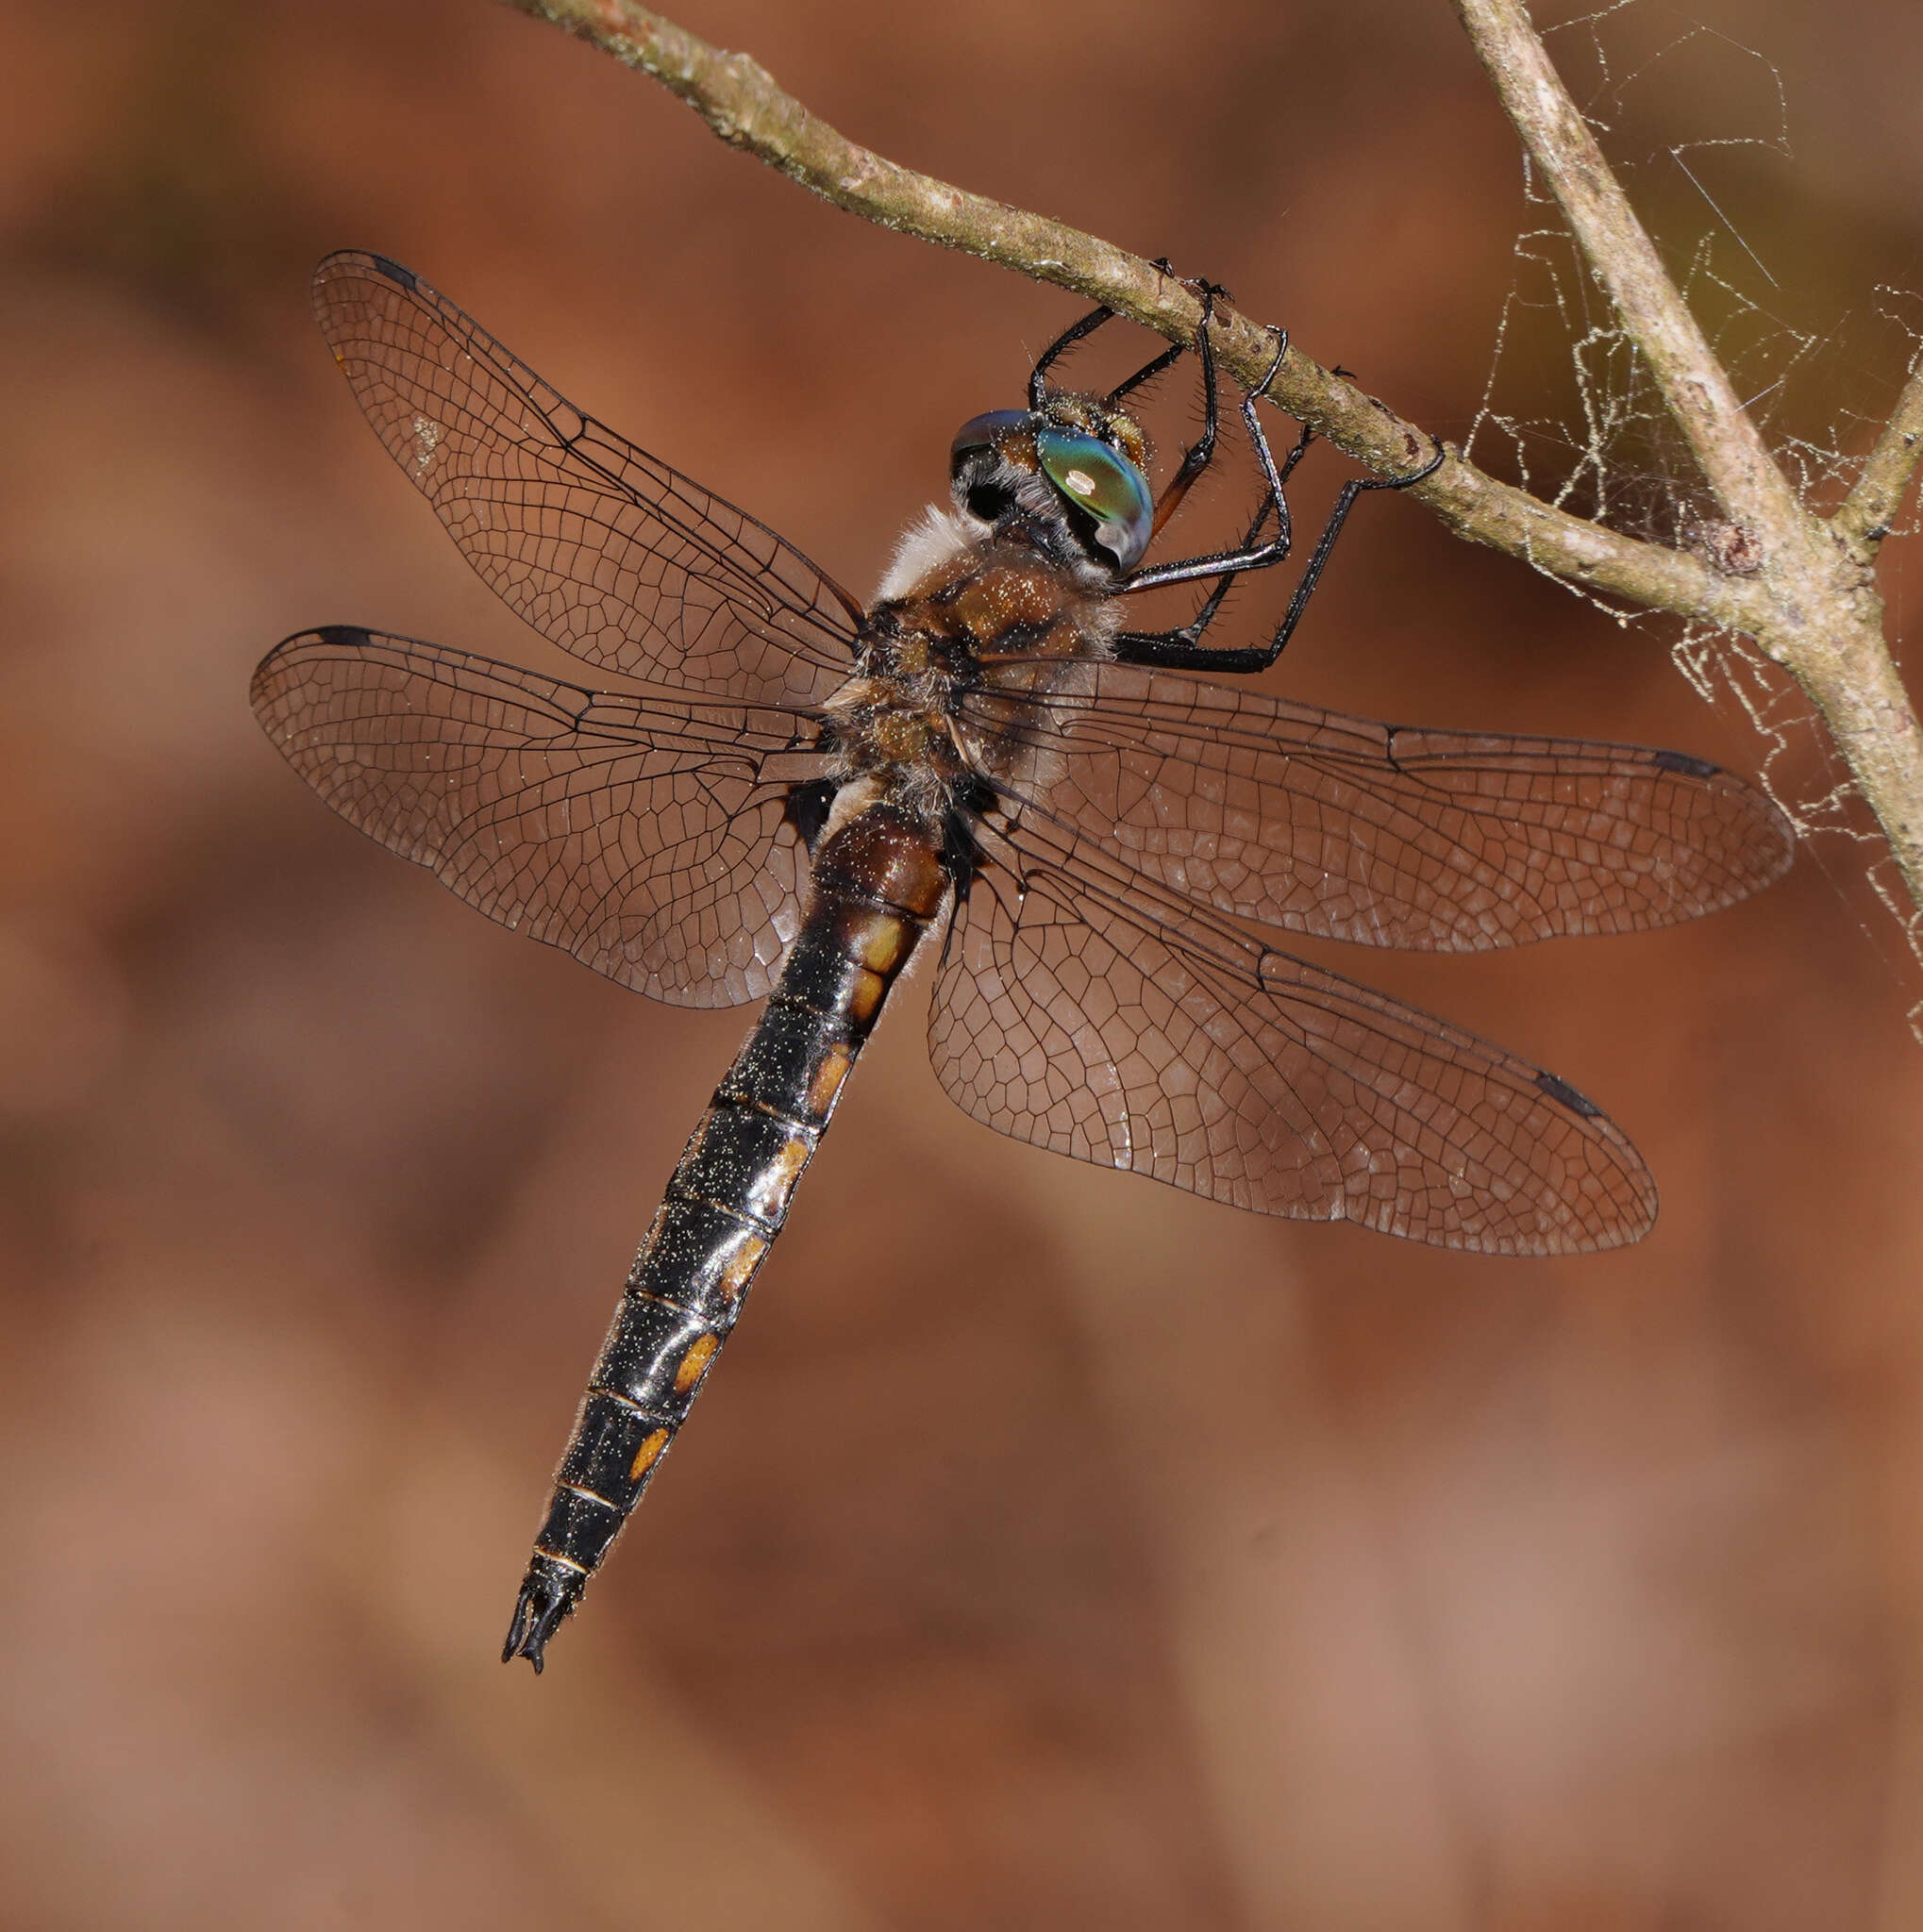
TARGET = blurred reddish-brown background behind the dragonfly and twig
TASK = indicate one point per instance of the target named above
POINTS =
(1050, 1550)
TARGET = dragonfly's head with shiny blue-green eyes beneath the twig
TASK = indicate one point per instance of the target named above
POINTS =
(1076, 463)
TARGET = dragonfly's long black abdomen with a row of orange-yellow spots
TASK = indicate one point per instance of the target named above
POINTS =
(878, 882)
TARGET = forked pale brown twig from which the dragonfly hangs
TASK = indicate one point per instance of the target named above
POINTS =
(1812, 604)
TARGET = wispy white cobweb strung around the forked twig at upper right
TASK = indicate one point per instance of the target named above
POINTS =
(1572, 414)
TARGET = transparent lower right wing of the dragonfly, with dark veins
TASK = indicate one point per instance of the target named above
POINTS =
(1095, 1017)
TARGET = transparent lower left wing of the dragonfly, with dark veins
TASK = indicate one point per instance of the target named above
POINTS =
(648, 838)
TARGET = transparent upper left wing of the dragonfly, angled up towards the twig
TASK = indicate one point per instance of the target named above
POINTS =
(604, 550)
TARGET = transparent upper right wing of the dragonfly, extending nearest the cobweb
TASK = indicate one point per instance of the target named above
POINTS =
(1352, 830)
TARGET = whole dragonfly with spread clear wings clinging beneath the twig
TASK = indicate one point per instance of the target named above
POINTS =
(776, 793)
